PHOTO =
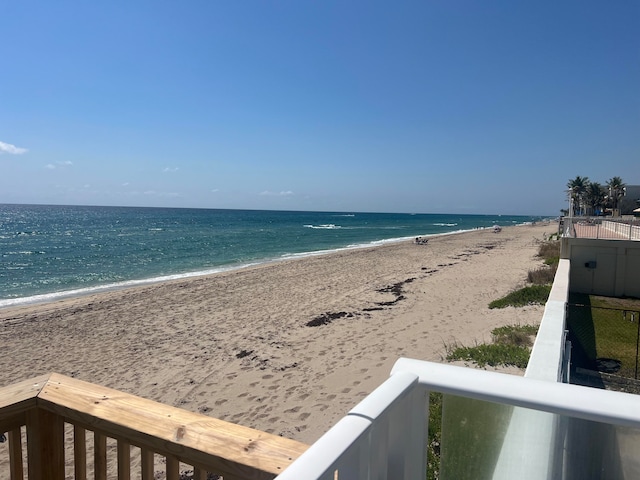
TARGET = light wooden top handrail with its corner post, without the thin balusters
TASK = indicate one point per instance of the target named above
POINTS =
(43, 404)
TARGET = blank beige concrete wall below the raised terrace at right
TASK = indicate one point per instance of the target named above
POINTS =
(603, 267)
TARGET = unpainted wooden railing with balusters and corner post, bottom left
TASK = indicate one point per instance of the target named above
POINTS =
(51, 415)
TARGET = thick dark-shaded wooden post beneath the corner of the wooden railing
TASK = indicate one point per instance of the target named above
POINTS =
(45, 445)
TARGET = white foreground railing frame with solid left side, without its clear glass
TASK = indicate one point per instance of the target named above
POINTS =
(365, 444)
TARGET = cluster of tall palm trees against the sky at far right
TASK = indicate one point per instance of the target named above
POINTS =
(592, 198)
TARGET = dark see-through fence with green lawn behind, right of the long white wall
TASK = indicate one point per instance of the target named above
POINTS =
(605, 339)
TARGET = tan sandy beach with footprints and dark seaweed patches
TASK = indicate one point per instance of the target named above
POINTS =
(287, 347)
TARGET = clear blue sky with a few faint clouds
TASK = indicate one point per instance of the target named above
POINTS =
(412, 106)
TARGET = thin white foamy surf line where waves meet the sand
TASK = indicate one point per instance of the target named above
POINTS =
(45, 298)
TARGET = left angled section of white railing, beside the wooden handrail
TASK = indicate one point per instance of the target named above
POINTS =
(386, 432)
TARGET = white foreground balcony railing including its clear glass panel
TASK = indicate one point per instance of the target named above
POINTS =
(593, 433)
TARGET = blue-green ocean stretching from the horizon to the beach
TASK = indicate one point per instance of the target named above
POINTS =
(49, 252)
